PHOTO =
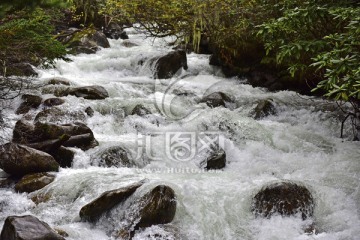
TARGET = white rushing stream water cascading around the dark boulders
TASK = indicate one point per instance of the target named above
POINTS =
(300, 143)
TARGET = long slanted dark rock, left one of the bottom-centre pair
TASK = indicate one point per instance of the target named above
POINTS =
(109, 199)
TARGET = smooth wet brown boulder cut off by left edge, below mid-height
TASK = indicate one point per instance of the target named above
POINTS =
(19, 160)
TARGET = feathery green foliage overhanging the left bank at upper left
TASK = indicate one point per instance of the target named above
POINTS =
(29, 39)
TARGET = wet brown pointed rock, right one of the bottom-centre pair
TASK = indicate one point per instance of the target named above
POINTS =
(157, 207)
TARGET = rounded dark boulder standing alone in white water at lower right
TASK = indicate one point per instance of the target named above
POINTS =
(284, 198)
